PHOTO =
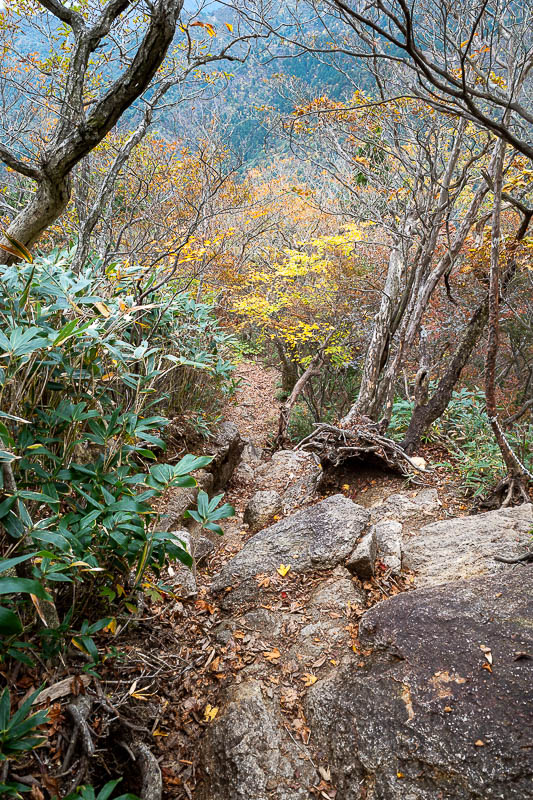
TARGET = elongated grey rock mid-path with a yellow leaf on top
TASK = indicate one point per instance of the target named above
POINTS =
(319, 537)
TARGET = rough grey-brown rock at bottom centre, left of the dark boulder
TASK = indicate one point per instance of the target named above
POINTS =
(247, 754)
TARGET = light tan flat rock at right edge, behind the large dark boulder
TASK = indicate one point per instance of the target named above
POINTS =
(465, 547)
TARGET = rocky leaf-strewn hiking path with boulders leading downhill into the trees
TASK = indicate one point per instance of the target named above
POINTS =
(312, 670)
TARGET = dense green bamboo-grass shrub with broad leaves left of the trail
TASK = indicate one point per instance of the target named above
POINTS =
(82, 368)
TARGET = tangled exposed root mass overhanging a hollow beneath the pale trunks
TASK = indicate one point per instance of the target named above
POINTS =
(363, 439)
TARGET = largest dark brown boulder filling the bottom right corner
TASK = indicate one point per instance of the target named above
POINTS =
(443, 705)
